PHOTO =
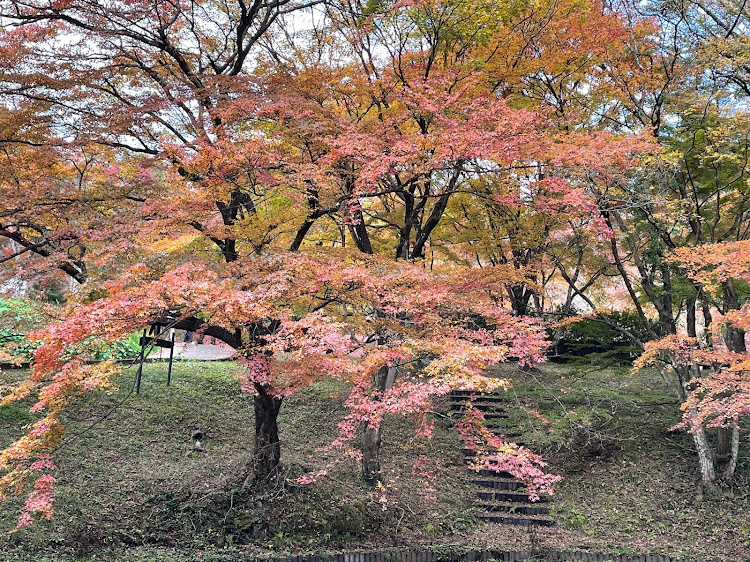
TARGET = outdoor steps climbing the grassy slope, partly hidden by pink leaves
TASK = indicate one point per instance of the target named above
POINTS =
(501, 498)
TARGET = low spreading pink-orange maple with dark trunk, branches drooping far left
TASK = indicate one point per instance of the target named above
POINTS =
(426, 319)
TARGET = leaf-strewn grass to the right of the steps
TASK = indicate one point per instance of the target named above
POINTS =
(630, 485)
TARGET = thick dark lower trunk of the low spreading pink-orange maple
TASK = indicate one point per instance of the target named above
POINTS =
(267, 449)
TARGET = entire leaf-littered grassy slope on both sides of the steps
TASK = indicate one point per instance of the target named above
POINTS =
(135, 481)
